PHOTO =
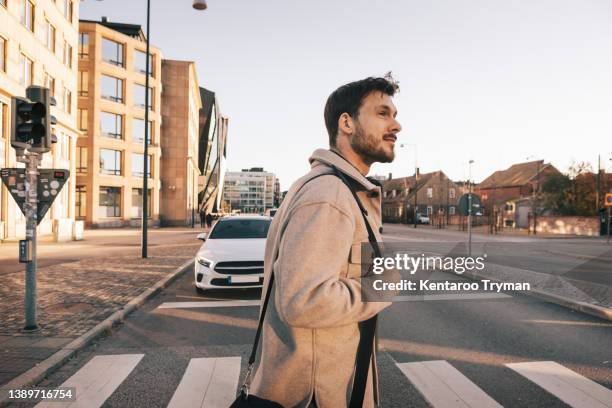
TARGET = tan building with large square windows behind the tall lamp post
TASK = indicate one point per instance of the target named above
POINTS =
(111, 111)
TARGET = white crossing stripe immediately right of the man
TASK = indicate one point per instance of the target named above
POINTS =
(444, 386)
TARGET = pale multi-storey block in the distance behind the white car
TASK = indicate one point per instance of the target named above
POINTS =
(250, 190)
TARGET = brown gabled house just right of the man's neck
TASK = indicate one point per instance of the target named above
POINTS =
(435, 194)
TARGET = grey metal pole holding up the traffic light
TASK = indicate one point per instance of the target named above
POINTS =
(31, 210)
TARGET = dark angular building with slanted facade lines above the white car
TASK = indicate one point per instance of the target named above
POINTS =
(212, 153)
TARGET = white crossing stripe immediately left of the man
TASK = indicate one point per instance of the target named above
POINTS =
(208, 383)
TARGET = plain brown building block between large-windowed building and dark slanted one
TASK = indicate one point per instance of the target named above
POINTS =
(181, 104)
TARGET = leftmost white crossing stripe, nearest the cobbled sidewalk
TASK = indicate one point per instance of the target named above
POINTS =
(97, 380)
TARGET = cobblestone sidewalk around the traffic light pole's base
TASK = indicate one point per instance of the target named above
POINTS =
(73, 297)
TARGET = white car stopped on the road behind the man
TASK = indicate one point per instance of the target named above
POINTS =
(232, 254)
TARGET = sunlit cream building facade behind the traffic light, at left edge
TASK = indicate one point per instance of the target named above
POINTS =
(38, 45)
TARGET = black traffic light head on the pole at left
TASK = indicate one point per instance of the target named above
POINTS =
(31, 121)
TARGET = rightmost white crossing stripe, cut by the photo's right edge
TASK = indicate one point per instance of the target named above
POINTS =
(570, 387)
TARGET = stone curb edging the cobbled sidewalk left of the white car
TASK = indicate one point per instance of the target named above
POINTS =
(55, 361)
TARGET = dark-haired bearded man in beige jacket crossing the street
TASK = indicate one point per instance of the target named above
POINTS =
(310, 332)
